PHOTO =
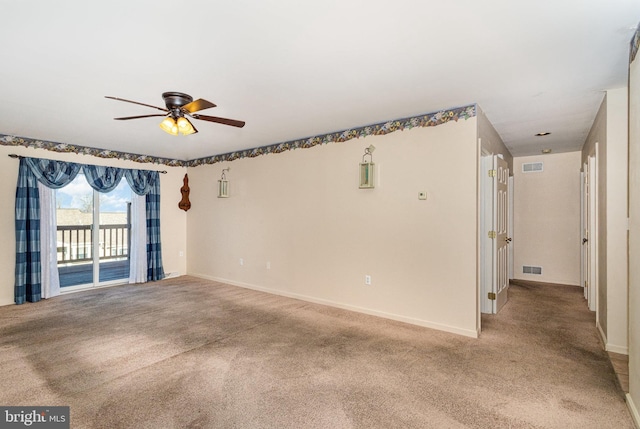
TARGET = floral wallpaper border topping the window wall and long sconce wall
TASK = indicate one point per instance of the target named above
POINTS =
(426, 120)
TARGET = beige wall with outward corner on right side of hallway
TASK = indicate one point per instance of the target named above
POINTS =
(609, 132)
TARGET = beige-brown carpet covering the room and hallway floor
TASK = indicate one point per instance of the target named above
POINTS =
(192, 353)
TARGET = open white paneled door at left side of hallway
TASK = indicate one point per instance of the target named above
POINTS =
(501, 241)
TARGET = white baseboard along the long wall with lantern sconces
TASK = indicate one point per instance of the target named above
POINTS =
(371, 312)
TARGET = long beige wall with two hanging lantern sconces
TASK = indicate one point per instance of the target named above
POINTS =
(302, 212)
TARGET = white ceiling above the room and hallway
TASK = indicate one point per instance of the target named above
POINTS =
(293, 68)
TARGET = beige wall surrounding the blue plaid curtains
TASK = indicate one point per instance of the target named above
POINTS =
(173, 220)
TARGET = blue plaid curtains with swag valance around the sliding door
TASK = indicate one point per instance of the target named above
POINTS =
(56, 174)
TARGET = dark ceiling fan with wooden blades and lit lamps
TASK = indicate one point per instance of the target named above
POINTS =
(179, 106)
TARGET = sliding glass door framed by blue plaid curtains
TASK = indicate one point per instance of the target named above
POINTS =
(93, 234)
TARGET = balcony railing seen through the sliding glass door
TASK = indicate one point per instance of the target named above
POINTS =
(75, 242)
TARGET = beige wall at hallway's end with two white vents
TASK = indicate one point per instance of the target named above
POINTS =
(547, 218)
